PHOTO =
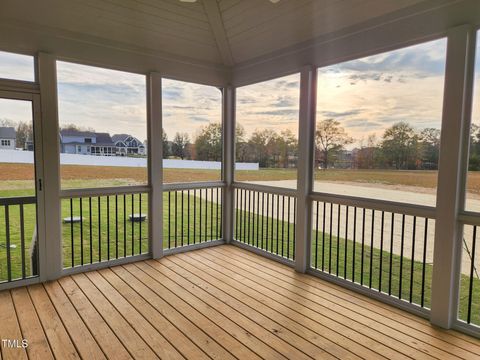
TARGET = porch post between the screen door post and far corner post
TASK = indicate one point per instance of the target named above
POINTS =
(155, 163)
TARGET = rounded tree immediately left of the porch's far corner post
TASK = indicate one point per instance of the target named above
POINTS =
(208, 144)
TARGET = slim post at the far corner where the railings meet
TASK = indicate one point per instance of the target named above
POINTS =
(228, 208)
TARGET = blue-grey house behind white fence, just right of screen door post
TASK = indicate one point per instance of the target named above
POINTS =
(74, 141)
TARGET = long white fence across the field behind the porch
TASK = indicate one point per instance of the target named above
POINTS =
(26, 157)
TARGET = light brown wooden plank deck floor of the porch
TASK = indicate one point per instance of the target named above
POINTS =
(222, 303)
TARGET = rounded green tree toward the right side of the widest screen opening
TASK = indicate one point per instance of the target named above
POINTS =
(400, 146)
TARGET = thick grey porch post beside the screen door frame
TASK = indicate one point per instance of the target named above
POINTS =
(51, 256)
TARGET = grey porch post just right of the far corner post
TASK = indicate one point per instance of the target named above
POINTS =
(306, 136)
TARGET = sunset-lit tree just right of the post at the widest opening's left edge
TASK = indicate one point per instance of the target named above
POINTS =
(330, 139)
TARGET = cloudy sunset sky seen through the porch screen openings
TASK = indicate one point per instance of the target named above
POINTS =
(365, 96)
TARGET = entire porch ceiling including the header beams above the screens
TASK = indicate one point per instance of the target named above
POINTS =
(219, 41)
